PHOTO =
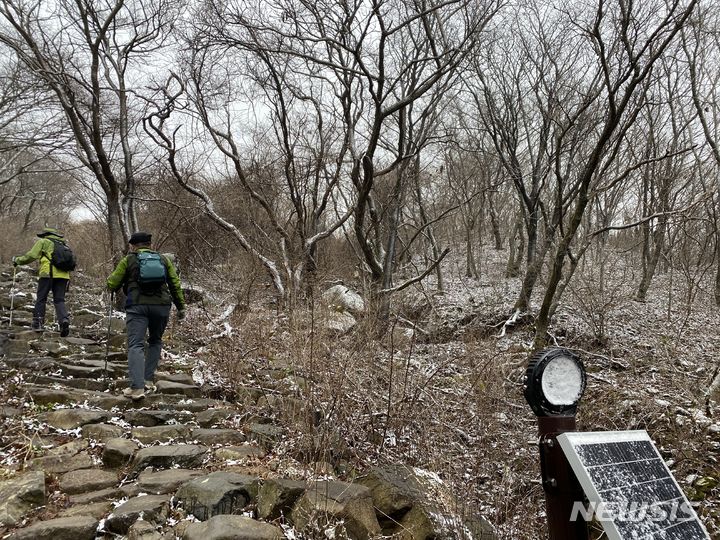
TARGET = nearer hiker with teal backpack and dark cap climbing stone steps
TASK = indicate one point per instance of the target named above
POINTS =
(147, 308)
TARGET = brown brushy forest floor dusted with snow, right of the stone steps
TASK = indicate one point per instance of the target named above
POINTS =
(445, 392)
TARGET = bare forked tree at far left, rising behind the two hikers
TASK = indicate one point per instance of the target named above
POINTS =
(84, 53)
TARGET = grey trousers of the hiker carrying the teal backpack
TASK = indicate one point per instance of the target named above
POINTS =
(140, 320)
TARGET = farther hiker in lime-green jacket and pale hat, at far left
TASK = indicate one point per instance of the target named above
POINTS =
(50, 278)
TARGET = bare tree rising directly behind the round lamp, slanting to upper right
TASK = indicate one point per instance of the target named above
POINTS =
(627, 41)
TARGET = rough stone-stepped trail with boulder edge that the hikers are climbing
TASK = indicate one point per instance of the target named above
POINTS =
(81, 461)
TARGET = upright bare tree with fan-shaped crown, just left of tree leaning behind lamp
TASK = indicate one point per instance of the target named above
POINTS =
(526, 98)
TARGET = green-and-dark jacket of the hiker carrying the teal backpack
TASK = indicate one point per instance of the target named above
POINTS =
(125, 276)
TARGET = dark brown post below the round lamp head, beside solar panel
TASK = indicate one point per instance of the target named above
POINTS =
(562, 489)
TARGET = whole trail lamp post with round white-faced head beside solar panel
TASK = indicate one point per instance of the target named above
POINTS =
(554, 384)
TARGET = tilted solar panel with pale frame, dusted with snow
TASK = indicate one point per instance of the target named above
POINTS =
(631, 491)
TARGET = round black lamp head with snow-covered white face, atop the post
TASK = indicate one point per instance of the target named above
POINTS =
(554, 382)
